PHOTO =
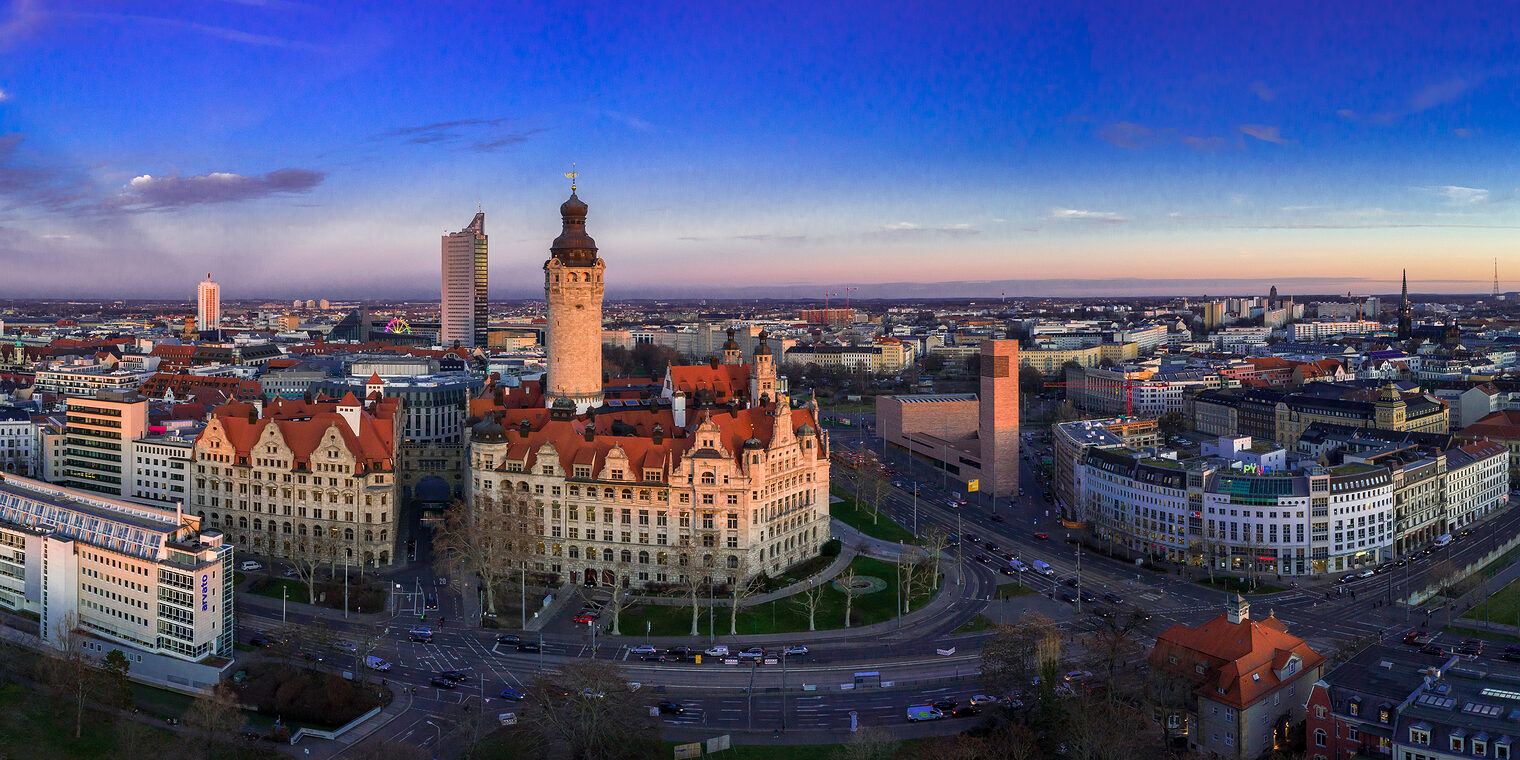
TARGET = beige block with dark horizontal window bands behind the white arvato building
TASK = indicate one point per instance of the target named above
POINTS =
(98, 445)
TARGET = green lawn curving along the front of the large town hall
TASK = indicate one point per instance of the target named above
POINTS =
(782, 616)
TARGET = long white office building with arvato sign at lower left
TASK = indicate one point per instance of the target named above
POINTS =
(148, 581)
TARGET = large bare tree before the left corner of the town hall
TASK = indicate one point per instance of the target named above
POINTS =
(490, 539)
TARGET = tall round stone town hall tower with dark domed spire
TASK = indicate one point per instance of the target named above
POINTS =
(574, 293)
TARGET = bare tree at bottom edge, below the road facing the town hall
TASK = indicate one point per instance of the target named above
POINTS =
(587, 711)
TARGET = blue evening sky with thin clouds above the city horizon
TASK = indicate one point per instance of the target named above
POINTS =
(320, 150)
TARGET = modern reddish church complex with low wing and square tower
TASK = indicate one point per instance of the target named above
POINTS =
(969, 437)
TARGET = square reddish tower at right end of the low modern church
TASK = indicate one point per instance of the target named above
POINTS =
(998, 417)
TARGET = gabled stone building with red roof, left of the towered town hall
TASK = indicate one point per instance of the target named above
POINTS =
(303, 480)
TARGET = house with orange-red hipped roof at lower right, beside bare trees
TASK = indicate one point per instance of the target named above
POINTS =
(1252, 682)
